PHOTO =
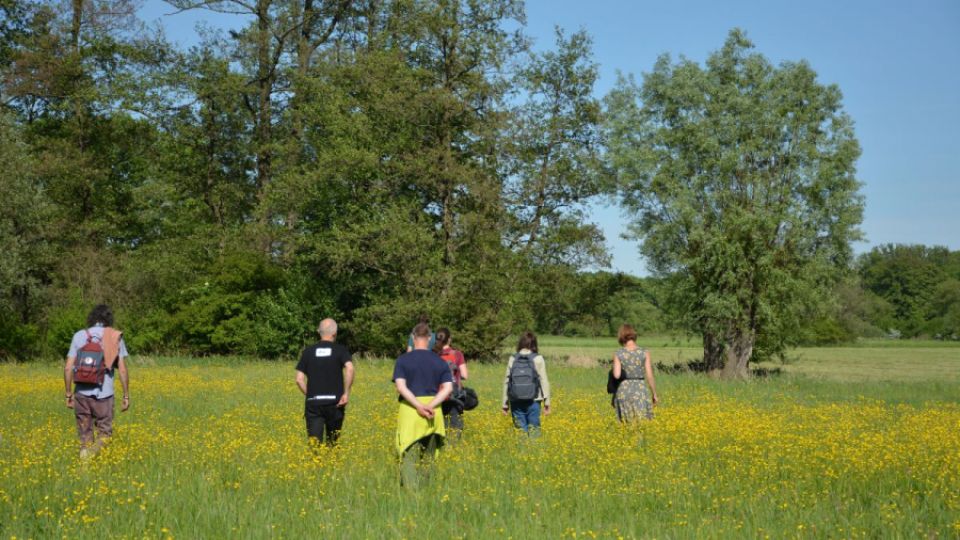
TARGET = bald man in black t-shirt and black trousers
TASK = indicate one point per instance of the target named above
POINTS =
(325, 376)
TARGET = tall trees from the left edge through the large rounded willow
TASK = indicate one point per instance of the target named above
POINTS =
(372, 160)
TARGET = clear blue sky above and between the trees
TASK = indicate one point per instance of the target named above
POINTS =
(897, 64)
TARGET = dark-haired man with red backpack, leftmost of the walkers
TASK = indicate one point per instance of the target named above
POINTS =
(96, 355)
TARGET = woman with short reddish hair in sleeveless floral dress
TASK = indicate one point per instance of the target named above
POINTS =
(632, 365)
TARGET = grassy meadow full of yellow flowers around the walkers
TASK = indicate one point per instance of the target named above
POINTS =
(217, 449)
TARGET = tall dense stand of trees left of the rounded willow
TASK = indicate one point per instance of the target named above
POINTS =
(364, 160)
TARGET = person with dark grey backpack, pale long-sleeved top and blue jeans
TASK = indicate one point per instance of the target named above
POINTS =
(526, 386)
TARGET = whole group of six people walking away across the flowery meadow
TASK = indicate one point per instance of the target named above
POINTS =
(428, 379)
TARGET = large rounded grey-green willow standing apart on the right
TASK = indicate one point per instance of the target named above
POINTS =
(741, 179)
